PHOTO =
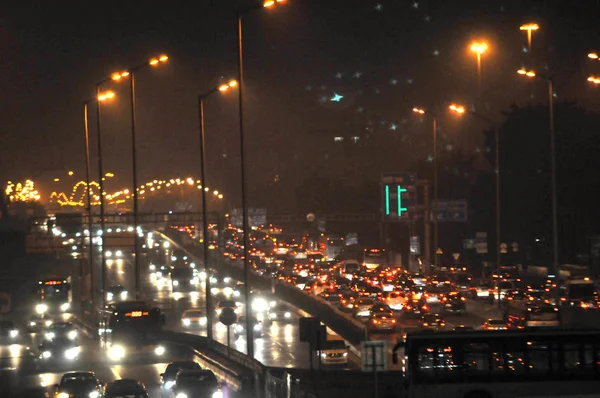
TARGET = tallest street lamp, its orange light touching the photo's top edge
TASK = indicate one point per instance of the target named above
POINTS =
(247, 267)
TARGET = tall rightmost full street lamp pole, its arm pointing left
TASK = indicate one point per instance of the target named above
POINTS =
(532, 74)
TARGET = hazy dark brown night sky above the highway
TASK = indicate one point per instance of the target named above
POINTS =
(382, 56)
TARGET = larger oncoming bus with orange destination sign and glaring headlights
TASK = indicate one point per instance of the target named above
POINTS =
(130, 327)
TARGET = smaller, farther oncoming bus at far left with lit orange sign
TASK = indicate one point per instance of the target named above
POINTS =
(53, 296)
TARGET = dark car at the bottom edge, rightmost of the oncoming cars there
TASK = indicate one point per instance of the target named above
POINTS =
(197, 383)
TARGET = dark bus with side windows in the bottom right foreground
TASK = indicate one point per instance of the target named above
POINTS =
(501, 364)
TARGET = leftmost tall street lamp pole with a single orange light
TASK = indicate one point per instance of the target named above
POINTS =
(100, 97)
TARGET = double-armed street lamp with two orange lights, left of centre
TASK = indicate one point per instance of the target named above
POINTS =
(118, 76)
